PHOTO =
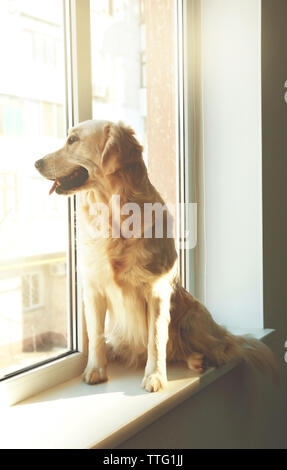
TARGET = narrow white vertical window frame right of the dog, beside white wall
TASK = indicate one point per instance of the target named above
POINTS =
(188, 129)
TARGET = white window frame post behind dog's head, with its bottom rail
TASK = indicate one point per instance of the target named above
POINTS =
(79, 108)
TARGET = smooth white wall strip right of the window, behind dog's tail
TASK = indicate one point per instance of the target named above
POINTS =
(231, 201)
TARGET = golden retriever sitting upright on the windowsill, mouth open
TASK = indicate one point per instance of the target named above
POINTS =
(152, 319)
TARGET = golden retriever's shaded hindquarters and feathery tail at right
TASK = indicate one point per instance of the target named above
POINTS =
(199, 332)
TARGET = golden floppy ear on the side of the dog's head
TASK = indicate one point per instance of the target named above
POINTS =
(121, 148)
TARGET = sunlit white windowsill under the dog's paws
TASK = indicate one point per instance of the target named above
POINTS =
(75, 415)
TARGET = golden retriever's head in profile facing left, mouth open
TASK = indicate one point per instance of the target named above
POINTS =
(94, 150)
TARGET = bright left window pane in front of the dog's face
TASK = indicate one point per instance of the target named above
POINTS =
(33, 226)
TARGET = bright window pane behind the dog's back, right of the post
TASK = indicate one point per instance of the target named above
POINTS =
(134, 78)
